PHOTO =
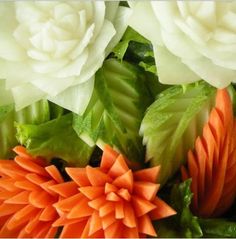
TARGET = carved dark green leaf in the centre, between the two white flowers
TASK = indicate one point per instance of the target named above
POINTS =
(116, 109)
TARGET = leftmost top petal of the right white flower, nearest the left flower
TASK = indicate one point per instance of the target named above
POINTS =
(149, 27)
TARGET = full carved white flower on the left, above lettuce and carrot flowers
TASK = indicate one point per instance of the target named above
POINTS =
(52, 49)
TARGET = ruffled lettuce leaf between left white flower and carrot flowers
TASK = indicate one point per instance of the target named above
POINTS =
(55, 138)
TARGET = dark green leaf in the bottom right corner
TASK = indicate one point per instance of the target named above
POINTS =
(218, 228)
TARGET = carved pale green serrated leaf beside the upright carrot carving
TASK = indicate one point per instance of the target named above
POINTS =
(172, 123)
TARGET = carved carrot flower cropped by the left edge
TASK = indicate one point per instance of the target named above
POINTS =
(25, 197)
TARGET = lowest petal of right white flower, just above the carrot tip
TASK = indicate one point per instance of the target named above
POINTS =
(213, 74)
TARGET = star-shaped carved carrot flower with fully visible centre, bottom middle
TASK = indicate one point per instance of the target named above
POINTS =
(112, 201)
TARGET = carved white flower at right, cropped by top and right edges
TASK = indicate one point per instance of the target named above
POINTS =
(191, 39)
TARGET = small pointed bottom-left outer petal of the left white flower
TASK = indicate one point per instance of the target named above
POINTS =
(26, 94)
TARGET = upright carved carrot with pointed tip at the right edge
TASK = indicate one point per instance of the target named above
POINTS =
(212, 164)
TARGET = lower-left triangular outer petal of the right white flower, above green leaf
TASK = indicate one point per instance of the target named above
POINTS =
(170, 68)
